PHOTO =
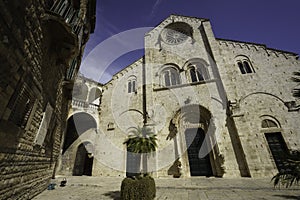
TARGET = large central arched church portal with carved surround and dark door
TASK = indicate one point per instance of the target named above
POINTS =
(196, 144)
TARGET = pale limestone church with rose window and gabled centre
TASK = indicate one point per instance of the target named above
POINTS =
(219, 107)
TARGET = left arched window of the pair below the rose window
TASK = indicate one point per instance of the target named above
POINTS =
(170, 77)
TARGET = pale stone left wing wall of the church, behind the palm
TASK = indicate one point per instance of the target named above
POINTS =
(120, 113)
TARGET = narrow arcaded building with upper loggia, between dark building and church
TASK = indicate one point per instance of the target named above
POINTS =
(83, 120)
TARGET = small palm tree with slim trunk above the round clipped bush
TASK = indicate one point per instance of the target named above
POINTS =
(142, 142)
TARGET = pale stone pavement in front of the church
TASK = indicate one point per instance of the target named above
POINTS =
(86, 188)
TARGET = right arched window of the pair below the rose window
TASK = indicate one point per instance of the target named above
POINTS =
(197, 72)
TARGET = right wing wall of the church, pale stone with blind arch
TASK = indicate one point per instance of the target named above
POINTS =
(253, 96)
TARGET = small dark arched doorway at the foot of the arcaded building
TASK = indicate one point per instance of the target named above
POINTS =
(83, 164)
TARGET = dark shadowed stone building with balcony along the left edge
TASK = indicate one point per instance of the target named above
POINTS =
(40, 50)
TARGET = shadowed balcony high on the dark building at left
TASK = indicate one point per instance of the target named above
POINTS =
(63, 30)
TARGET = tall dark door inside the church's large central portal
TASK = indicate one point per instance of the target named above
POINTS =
(194, 140)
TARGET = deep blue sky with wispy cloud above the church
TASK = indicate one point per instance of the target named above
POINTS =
(121, 25)
